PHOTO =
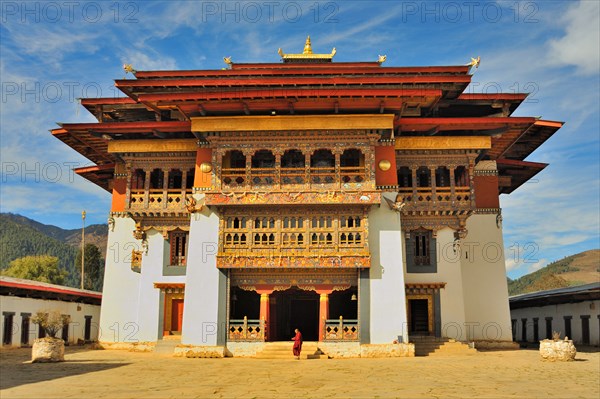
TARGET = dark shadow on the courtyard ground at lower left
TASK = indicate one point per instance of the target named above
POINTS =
(16, 370)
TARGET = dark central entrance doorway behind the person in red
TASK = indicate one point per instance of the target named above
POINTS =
(294, 308)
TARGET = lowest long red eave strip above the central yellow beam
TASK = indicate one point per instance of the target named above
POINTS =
(287, 93)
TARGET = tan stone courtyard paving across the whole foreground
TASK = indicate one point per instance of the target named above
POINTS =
(119, 374)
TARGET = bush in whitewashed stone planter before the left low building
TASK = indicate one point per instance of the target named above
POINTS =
(49, 348)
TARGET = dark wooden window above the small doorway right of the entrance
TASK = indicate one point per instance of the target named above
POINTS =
(421, 252)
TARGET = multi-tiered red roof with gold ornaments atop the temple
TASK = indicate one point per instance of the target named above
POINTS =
(427, 101)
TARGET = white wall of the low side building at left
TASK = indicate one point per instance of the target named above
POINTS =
(77, 311)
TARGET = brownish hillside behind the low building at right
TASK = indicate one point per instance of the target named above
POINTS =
(578, 269)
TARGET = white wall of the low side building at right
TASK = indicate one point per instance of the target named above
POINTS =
(558, 312)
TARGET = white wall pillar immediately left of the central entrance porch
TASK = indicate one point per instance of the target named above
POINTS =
(200, 311)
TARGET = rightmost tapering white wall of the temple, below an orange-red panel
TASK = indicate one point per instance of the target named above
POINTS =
(487, 314)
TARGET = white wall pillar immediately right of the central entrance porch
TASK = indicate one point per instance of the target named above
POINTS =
(388, 299)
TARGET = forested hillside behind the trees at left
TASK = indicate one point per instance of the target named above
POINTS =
(21, 236)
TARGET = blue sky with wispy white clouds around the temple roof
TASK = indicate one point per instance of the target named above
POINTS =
(55, 52)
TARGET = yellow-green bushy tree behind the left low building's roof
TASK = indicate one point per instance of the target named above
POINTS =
(43, 268)
